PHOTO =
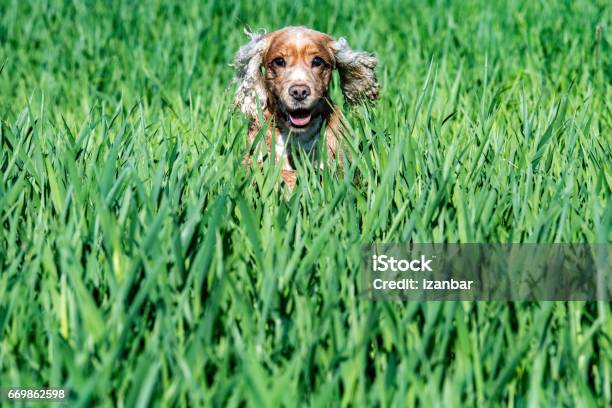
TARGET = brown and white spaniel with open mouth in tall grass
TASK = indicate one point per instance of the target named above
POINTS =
(285, 75)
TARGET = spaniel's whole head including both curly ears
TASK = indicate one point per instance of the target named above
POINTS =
(289, 71)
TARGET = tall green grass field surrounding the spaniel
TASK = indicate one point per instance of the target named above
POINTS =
(140, 262)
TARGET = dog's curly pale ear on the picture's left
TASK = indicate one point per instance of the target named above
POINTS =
(247, 62)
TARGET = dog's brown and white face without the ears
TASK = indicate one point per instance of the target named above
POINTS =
(298, 67)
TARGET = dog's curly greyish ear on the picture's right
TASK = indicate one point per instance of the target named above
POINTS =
(357, 72)
